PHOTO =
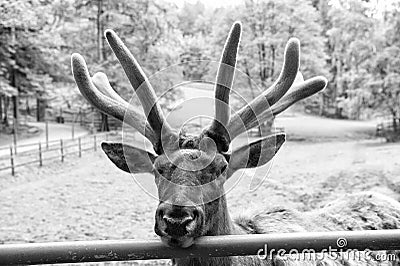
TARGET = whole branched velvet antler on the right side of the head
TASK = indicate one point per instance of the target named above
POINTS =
(257, 111)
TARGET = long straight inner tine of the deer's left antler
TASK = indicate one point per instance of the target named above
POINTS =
(138, 80)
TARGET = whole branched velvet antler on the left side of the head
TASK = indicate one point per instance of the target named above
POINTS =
(109, 102)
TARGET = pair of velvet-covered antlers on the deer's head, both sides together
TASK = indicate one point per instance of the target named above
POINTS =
(223, 129)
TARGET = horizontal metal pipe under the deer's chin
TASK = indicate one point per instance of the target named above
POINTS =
(210, 246)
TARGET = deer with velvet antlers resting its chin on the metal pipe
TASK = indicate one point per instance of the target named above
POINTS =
(190, 170)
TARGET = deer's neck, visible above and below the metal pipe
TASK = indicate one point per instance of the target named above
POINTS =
(220, 223)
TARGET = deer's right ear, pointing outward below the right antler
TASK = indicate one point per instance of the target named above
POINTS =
(256, 153)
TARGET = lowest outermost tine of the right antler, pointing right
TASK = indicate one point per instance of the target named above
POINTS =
(298, 92)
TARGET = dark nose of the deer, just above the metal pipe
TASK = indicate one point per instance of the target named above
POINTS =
(178, 221)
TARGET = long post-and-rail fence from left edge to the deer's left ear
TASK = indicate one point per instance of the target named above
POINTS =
(43, 152)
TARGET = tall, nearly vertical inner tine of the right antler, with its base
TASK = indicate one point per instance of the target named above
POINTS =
(225, 76)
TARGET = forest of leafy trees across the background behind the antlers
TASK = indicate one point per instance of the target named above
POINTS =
(354, 43)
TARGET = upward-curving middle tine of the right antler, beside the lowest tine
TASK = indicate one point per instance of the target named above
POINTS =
(248, 114)
